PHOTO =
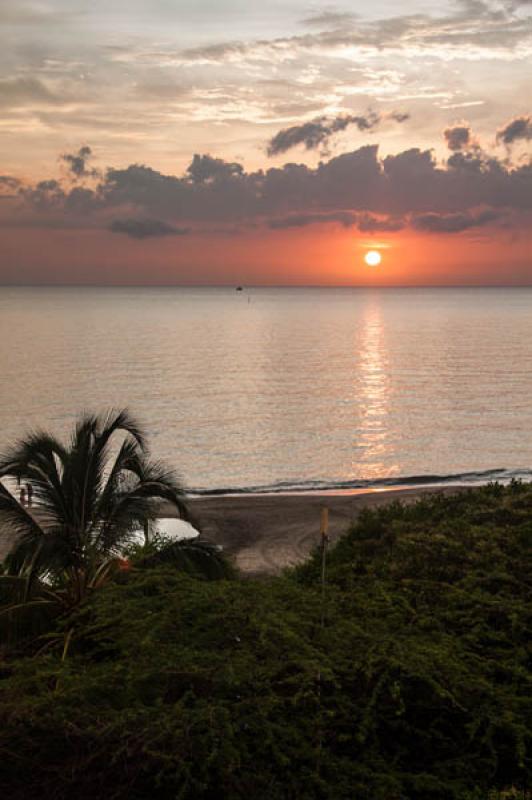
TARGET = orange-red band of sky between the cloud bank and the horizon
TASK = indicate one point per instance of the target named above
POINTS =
(328, 256)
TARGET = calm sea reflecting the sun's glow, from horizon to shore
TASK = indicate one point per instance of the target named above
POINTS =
(282, 386)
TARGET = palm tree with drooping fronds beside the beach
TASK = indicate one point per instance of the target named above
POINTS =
(88, 500)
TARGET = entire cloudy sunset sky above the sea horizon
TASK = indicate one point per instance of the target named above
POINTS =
(234, 141)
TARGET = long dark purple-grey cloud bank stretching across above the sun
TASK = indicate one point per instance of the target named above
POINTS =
(354, 188)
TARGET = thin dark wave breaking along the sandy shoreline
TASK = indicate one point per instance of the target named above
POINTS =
(289, 487)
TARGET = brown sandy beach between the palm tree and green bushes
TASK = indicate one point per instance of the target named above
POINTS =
(266, 533)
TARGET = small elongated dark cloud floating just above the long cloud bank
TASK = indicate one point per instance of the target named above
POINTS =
(317, 133)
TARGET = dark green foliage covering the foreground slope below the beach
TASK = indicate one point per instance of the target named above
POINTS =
(418, 686)
